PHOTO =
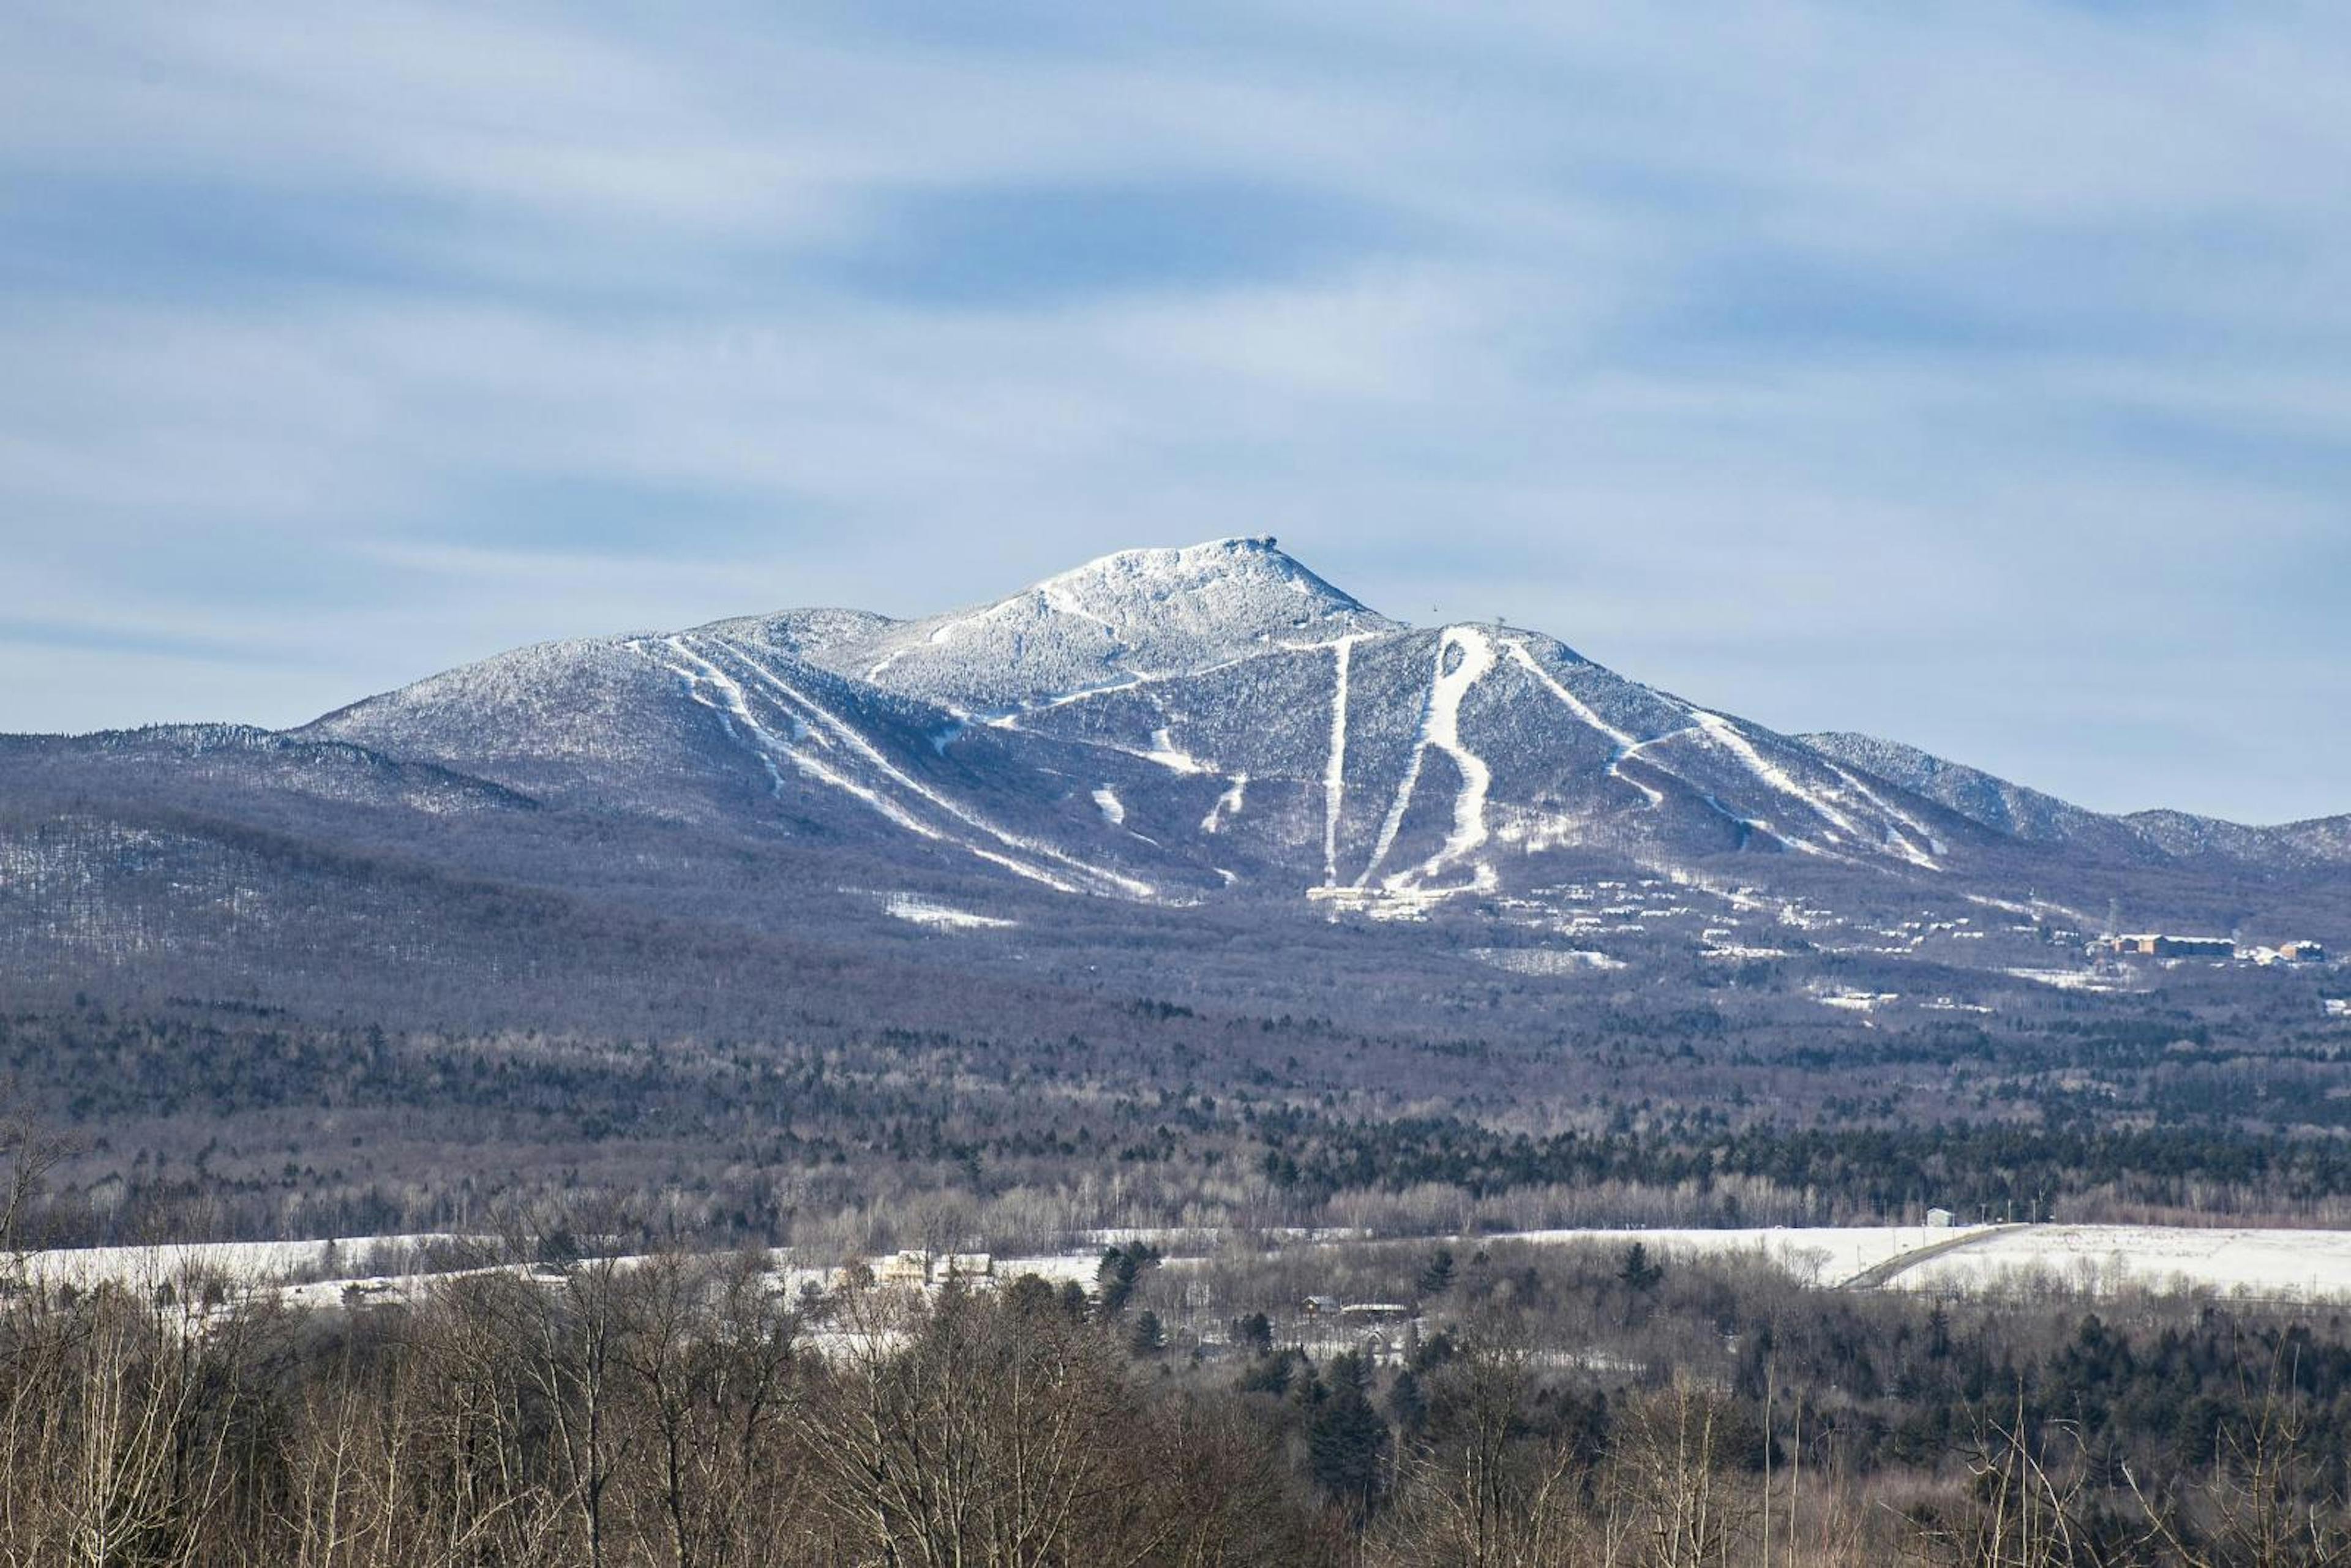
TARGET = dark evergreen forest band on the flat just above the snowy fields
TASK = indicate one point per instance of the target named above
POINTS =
(262, 1127)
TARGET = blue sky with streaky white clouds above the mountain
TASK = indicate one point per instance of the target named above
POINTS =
(1967, 375)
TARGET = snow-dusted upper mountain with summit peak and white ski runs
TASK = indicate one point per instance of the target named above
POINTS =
(1160, 723)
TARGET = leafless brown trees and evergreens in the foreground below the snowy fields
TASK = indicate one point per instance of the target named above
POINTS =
(690, 1412)
